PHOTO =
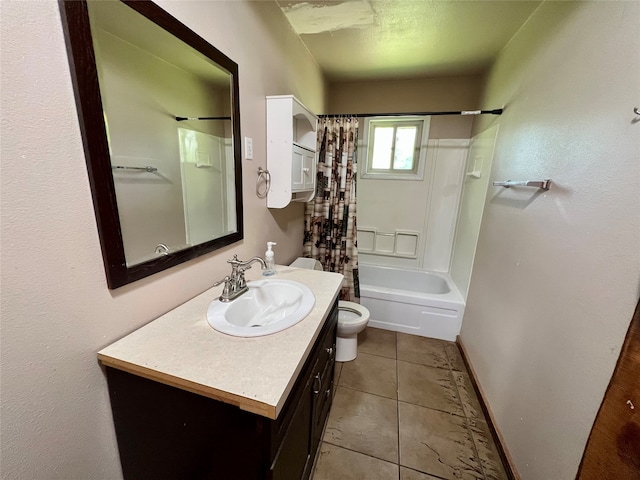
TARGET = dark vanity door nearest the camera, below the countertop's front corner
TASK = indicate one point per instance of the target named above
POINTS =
(293, 460)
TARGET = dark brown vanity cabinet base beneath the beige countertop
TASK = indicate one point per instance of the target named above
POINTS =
(165, 432)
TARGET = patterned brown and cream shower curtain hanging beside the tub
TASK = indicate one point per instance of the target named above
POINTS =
(330, 219)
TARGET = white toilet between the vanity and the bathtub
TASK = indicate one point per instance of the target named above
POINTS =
(352, 319)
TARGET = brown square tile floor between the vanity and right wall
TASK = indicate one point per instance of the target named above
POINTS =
(405, 409)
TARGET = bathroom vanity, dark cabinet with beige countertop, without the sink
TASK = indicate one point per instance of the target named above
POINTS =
(191, 402)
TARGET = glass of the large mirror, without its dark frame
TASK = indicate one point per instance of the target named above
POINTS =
(168, 116)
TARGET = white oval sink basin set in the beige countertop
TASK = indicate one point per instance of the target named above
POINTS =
(269, 306)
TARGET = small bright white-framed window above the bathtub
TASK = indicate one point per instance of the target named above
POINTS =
(394, 147)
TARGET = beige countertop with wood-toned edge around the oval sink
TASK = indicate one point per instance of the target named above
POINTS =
(256, 374)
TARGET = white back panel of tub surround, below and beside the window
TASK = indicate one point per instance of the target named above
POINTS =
(416, 229)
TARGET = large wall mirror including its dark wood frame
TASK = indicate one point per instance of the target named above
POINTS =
(160, 120)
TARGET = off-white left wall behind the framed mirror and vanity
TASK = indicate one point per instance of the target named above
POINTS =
(56, 309)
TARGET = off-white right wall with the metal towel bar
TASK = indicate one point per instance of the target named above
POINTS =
(556, 275)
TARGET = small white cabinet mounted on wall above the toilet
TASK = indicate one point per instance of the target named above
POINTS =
(291, 151)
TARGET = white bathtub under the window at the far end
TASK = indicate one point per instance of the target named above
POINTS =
(411, 301)
